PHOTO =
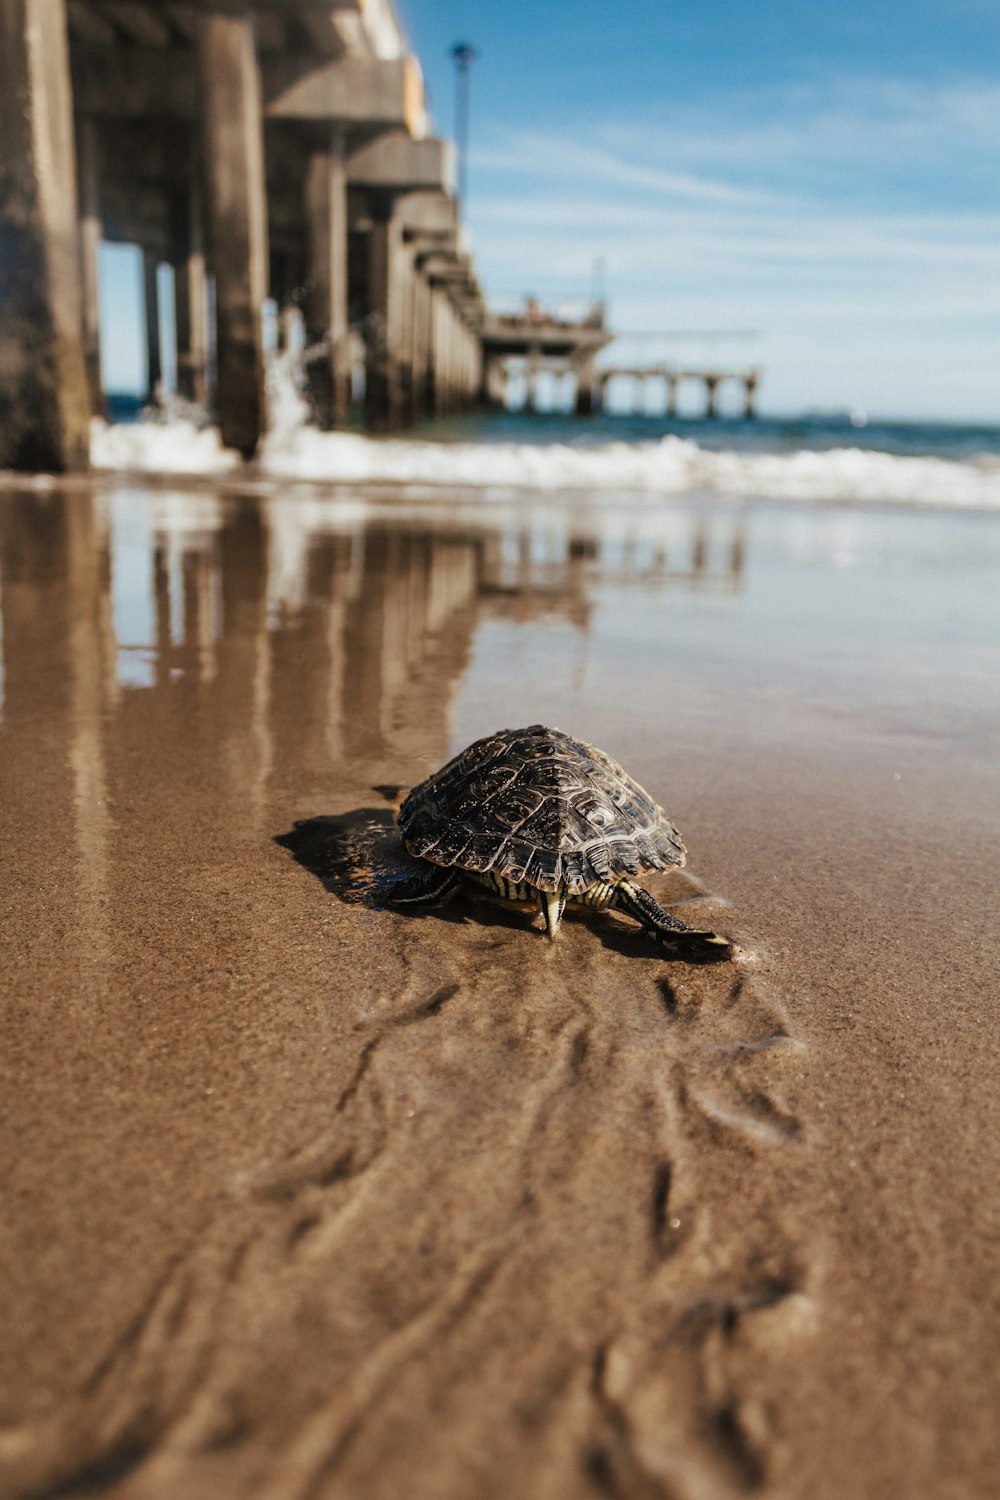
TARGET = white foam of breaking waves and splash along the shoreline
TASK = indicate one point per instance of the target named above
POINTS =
(293, 451)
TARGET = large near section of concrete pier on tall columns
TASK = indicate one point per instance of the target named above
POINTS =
(277, 152)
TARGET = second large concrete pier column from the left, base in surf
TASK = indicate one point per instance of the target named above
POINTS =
(238, 215)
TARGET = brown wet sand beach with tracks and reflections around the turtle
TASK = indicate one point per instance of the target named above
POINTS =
(307, 1199)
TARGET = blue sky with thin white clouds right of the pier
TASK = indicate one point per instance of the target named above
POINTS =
(827, 175)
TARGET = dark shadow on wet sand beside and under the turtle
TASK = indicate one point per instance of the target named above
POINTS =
(361, 859)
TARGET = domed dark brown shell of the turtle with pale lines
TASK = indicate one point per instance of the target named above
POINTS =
(539, 806)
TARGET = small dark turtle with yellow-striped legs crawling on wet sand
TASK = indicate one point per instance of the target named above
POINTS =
(540, 820)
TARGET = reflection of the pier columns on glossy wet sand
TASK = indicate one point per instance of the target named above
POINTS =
(298, 631)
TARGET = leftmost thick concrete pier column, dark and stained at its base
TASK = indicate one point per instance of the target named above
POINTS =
(44, 397)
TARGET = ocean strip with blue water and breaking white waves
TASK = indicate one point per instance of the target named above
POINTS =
(807, 460)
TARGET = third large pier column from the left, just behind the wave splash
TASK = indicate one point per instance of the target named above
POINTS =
(326, 305)
